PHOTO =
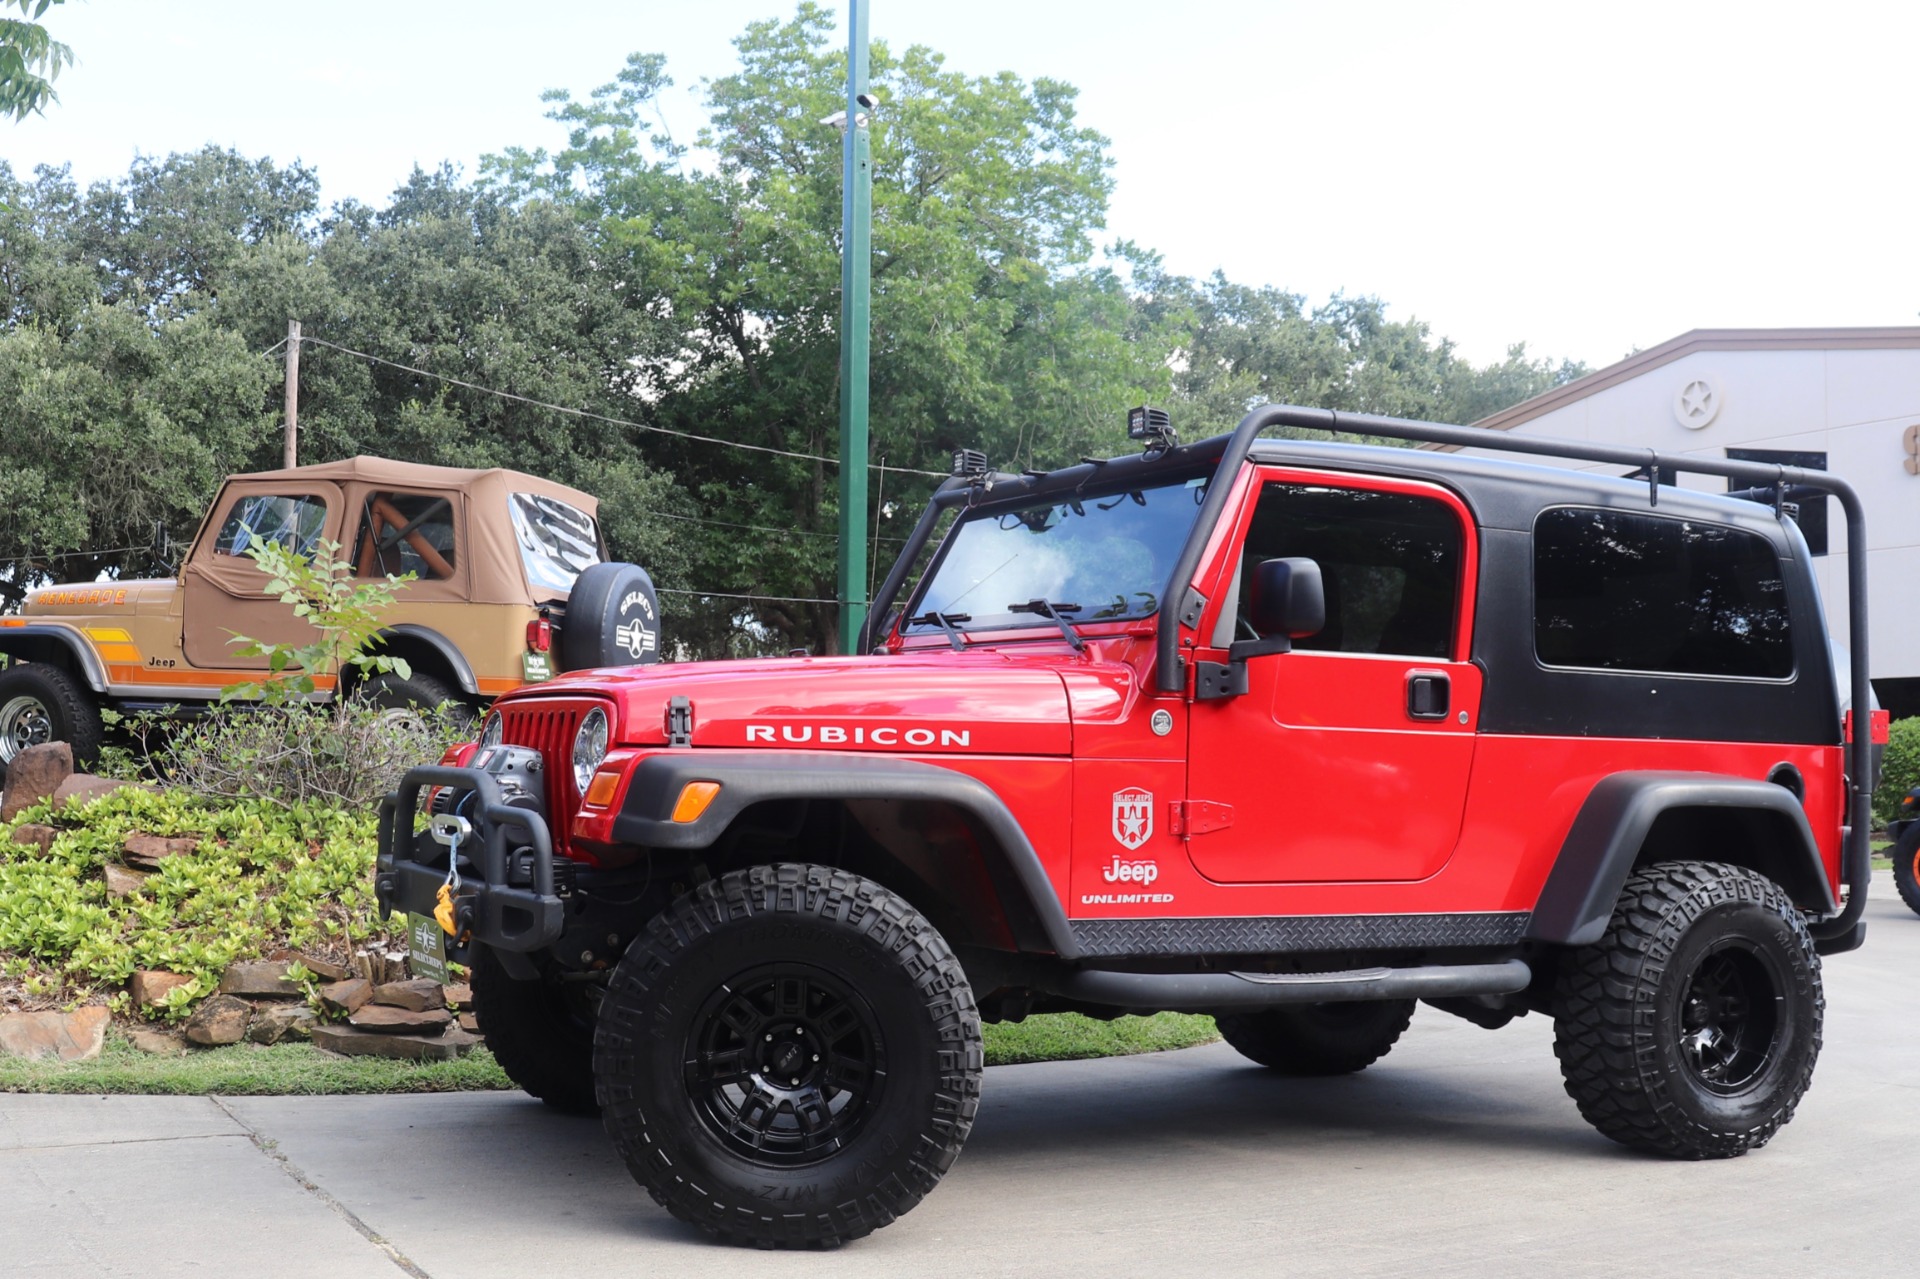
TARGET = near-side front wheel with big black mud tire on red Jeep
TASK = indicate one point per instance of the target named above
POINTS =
(740, 982)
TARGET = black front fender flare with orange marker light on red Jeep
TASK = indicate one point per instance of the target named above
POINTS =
(754, 777)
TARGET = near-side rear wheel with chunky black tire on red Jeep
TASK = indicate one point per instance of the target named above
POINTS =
(1692, 1026)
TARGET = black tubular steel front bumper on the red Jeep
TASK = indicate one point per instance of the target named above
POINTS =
(508, 896)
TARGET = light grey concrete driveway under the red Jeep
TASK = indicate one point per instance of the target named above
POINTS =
(1458, 1155)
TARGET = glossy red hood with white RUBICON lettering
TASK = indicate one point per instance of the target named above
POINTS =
(953, 704)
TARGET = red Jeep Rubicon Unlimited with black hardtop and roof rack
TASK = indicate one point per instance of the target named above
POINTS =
(1285, 733)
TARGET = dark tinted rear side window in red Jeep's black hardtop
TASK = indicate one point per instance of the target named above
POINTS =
(1644, 592)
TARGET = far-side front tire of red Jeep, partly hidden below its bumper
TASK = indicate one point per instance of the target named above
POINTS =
(542, 1042)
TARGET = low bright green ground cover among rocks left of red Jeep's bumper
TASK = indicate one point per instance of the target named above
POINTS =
(266, 877)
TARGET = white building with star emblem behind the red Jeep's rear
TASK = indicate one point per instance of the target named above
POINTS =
(1844, 400)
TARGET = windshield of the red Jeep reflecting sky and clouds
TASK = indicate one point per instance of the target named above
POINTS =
(1093, 560)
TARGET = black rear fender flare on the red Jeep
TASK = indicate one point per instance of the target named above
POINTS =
(1612, 827)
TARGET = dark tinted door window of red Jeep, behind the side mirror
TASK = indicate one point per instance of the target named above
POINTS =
(1391, 566)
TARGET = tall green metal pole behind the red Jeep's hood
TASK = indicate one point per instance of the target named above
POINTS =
(857, 249)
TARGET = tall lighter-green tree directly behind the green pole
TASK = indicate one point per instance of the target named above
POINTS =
(990, 327)
